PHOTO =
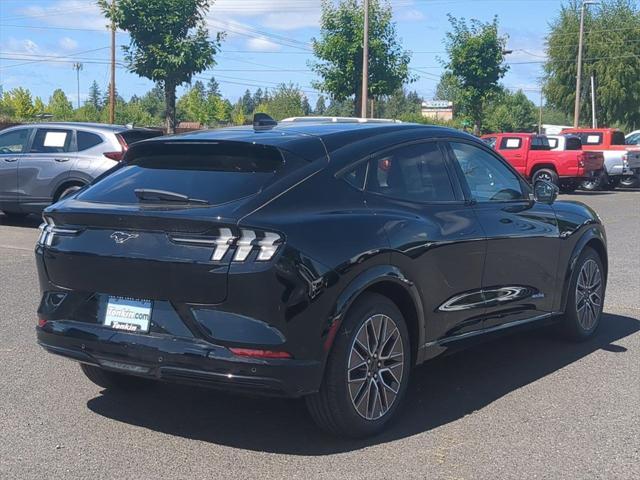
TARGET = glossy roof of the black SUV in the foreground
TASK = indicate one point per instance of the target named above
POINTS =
(314, 138)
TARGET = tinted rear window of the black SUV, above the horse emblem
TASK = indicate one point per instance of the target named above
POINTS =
(215, 172)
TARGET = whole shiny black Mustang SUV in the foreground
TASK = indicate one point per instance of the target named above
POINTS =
(309, 259)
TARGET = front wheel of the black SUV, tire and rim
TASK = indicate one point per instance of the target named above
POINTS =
(582, 318)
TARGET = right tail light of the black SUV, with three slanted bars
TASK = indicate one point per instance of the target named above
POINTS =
(242, 247)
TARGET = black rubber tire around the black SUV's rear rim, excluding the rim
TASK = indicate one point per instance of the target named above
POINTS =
(335, 380)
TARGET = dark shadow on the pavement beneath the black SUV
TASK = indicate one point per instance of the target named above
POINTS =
(441, 391)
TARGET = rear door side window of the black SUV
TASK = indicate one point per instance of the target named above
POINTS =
(416, 173)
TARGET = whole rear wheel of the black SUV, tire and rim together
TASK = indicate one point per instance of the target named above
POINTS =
(342, 407)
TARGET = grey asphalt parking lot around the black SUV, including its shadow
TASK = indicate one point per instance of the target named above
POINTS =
(525, 406)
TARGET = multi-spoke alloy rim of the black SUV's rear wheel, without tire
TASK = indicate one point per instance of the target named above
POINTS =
(376, 367)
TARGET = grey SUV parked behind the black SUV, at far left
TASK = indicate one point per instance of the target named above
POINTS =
(41, 163)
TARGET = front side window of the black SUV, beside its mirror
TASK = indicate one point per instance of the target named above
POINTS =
(489, 180)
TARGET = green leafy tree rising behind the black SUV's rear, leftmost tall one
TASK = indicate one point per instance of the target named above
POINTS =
(169, 42)
